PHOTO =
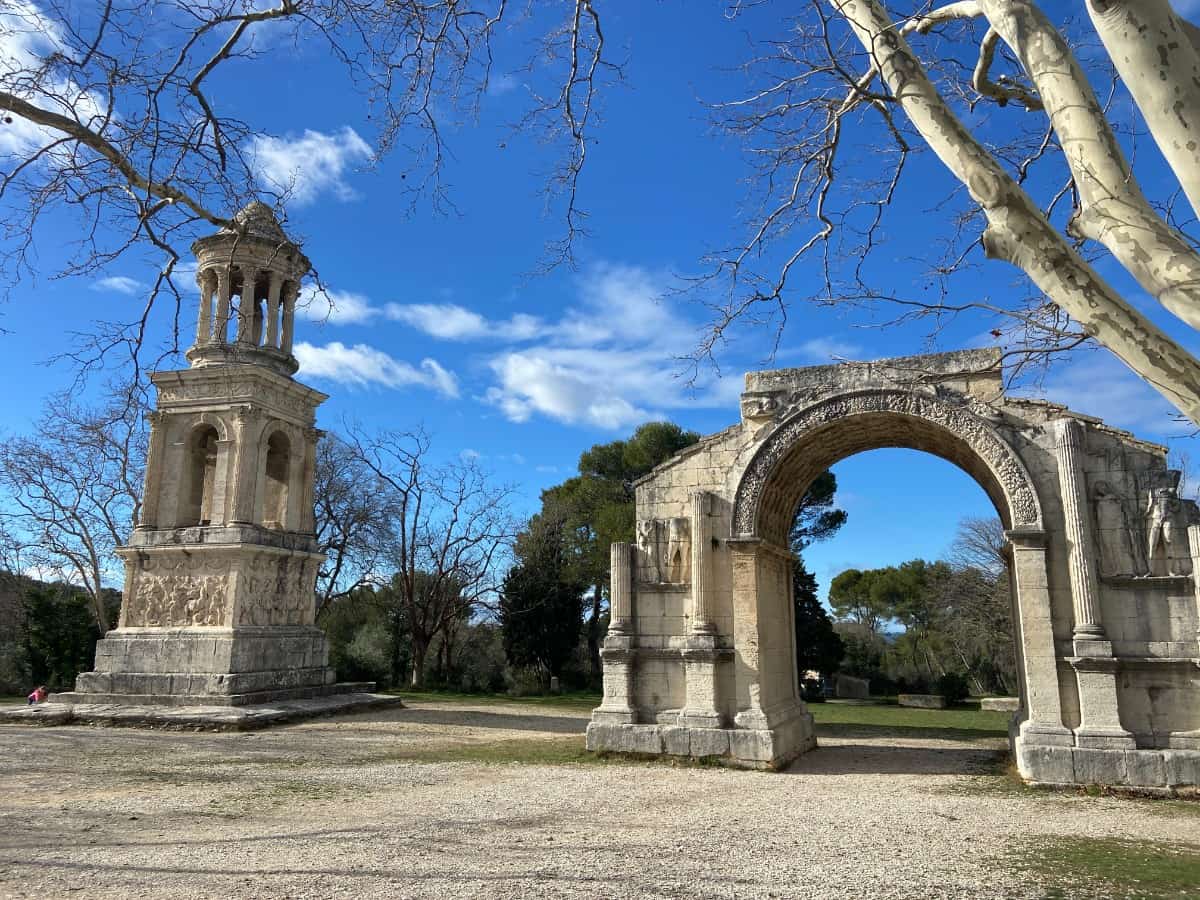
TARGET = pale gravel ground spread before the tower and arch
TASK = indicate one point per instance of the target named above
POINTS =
(327, 811)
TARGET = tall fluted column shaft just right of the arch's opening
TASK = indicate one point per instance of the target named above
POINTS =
(1089, 632)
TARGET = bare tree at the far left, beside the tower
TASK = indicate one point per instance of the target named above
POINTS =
(74, 491)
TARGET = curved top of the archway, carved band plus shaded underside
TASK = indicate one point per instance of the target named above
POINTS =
(818, 436)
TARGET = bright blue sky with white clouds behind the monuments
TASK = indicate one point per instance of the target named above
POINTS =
(439, 319)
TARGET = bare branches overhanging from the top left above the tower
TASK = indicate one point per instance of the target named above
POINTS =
(112, 112)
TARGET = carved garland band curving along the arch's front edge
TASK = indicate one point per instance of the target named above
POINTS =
(955, 418)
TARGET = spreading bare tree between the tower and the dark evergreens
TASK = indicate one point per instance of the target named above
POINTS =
(449, 530)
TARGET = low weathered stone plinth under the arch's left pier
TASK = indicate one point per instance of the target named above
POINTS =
(748, 748)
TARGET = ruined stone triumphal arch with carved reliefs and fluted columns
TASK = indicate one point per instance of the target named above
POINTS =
(700, 658)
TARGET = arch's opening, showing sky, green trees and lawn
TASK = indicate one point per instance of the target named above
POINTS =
(916, 595)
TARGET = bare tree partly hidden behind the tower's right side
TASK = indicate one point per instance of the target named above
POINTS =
(352, 523)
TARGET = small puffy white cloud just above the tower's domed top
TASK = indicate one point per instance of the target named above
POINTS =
(311, 165)
